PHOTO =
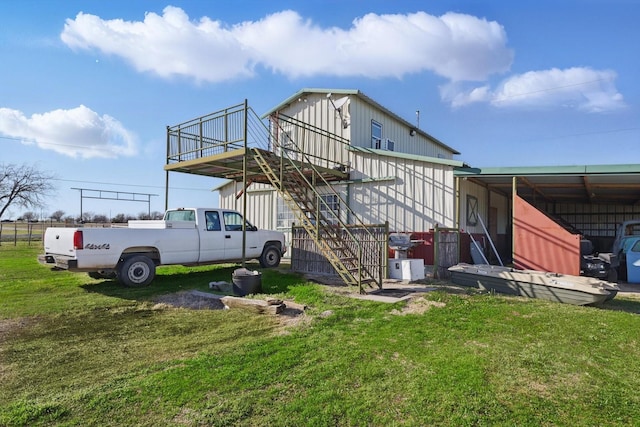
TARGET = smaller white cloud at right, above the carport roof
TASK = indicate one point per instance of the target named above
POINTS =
(577, 88)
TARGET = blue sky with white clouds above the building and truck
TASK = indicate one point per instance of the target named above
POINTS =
(87, 88)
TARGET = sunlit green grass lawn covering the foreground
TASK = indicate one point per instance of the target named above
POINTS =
(78, 351)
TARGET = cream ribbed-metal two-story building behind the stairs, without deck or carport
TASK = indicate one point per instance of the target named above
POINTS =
(398, 173)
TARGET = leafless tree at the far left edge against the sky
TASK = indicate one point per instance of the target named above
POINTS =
(23, 185)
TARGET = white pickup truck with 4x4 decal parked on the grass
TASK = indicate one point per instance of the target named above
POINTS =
(186, 236)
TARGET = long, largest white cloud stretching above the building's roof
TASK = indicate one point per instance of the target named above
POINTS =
(455, 46)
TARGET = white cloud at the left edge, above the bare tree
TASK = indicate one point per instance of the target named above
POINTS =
(79, 132)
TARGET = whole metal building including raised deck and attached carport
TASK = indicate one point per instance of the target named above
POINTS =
(374, 167)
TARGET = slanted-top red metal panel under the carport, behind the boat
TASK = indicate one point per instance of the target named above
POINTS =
(541, 244)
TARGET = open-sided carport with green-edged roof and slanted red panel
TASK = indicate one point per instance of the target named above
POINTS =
(550, 208)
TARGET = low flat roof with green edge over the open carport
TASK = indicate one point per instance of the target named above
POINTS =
(597, 184)
